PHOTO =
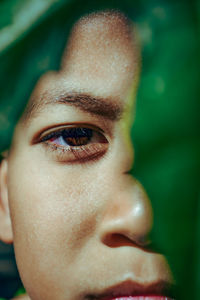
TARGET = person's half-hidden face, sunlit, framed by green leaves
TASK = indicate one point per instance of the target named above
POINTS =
(80, 222)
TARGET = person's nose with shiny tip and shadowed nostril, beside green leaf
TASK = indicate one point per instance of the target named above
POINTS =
(127, 219)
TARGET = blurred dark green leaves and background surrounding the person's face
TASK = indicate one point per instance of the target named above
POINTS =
(166, 128)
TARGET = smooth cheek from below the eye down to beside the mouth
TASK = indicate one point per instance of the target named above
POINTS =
(56, 210)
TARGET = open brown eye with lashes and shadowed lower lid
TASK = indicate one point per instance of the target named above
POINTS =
(90, 150)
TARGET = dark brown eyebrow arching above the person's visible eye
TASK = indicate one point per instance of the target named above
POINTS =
(108, 108)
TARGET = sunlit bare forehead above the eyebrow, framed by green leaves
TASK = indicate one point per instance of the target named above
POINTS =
(100, 59)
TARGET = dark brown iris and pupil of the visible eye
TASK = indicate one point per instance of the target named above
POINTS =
(77, 136)
